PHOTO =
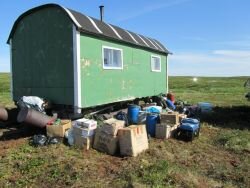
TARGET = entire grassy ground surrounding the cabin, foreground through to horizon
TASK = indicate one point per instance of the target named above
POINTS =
(220, 157)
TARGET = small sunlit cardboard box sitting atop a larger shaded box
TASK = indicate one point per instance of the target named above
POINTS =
(111, 126)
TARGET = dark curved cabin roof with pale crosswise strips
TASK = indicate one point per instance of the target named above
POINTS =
(87, 24)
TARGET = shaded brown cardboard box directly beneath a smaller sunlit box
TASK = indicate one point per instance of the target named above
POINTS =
(105, 142)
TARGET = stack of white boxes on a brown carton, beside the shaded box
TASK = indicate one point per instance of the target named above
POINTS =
(83, 131)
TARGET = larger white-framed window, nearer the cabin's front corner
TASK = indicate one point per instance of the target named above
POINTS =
(112, 58)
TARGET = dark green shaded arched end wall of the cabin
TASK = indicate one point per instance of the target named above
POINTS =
(42, 56)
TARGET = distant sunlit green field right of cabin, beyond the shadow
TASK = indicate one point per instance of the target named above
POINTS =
(219, 91)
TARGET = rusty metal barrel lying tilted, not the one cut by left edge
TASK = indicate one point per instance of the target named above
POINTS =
(33, 117)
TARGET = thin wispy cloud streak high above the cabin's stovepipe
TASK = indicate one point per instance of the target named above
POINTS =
(148, 9)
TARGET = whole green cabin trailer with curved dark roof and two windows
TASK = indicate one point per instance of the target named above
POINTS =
(73, 59)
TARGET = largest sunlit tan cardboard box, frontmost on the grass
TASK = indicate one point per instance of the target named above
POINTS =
(133, 140)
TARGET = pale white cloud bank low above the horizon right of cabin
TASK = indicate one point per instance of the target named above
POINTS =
(214, 63)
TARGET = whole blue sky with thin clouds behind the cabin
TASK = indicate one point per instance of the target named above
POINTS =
(207, 37)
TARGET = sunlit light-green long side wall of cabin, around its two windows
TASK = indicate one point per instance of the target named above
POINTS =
(102, 86)
